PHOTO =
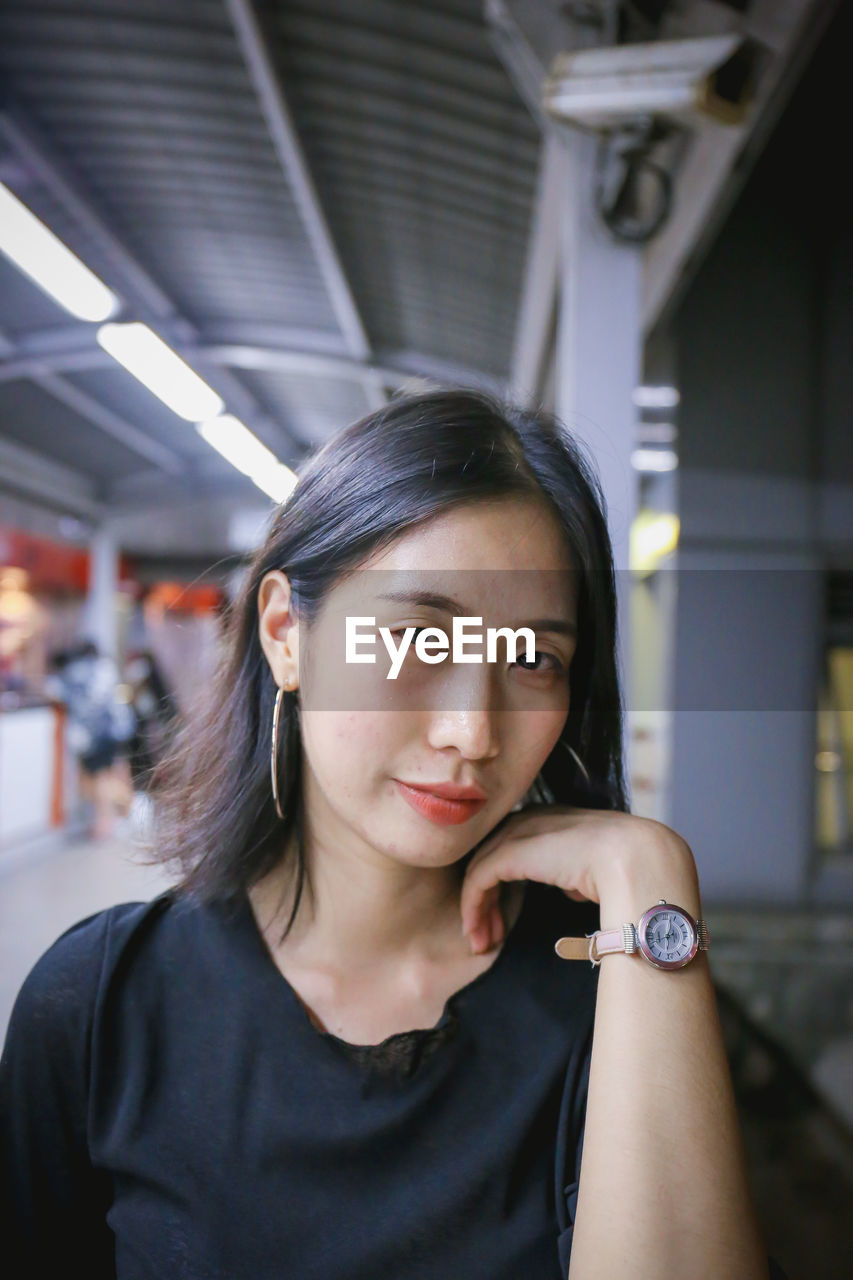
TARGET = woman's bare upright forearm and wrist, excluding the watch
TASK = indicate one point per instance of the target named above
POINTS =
(664, 1187)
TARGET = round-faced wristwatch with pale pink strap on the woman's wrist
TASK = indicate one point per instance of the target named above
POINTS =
(667, 936)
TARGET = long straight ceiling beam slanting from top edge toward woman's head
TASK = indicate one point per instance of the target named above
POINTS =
(295, 166)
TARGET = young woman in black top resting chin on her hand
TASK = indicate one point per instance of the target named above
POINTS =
(348, 1044)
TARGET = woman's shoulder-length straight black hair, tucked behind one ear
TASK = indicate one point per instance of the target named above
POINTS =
(403, 465)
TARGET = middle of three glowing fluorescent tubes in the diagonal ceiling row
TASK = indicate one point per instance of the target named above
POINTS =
(162, 371)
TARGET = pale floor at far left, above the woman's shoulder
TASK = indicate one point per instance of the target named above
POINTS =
(43, 895)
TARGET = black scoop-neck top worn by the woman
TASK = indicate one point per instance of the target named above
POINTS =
(170, 1110)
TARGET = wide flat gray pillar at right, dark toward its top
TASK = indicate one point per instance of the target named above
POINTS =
(750, 593)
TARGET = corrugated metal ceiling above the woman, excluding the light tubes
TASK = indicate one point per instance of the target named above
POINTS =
(314, 202)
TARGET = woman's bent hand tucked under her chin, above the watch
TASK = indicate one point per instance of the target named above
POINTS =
(600, 856)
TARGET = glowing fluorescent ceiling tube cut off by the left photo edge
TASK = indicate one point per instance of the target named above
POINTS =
(51, 264)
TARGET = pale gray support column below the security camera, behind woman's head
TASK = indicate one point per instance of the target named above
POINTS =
(599, 358)
